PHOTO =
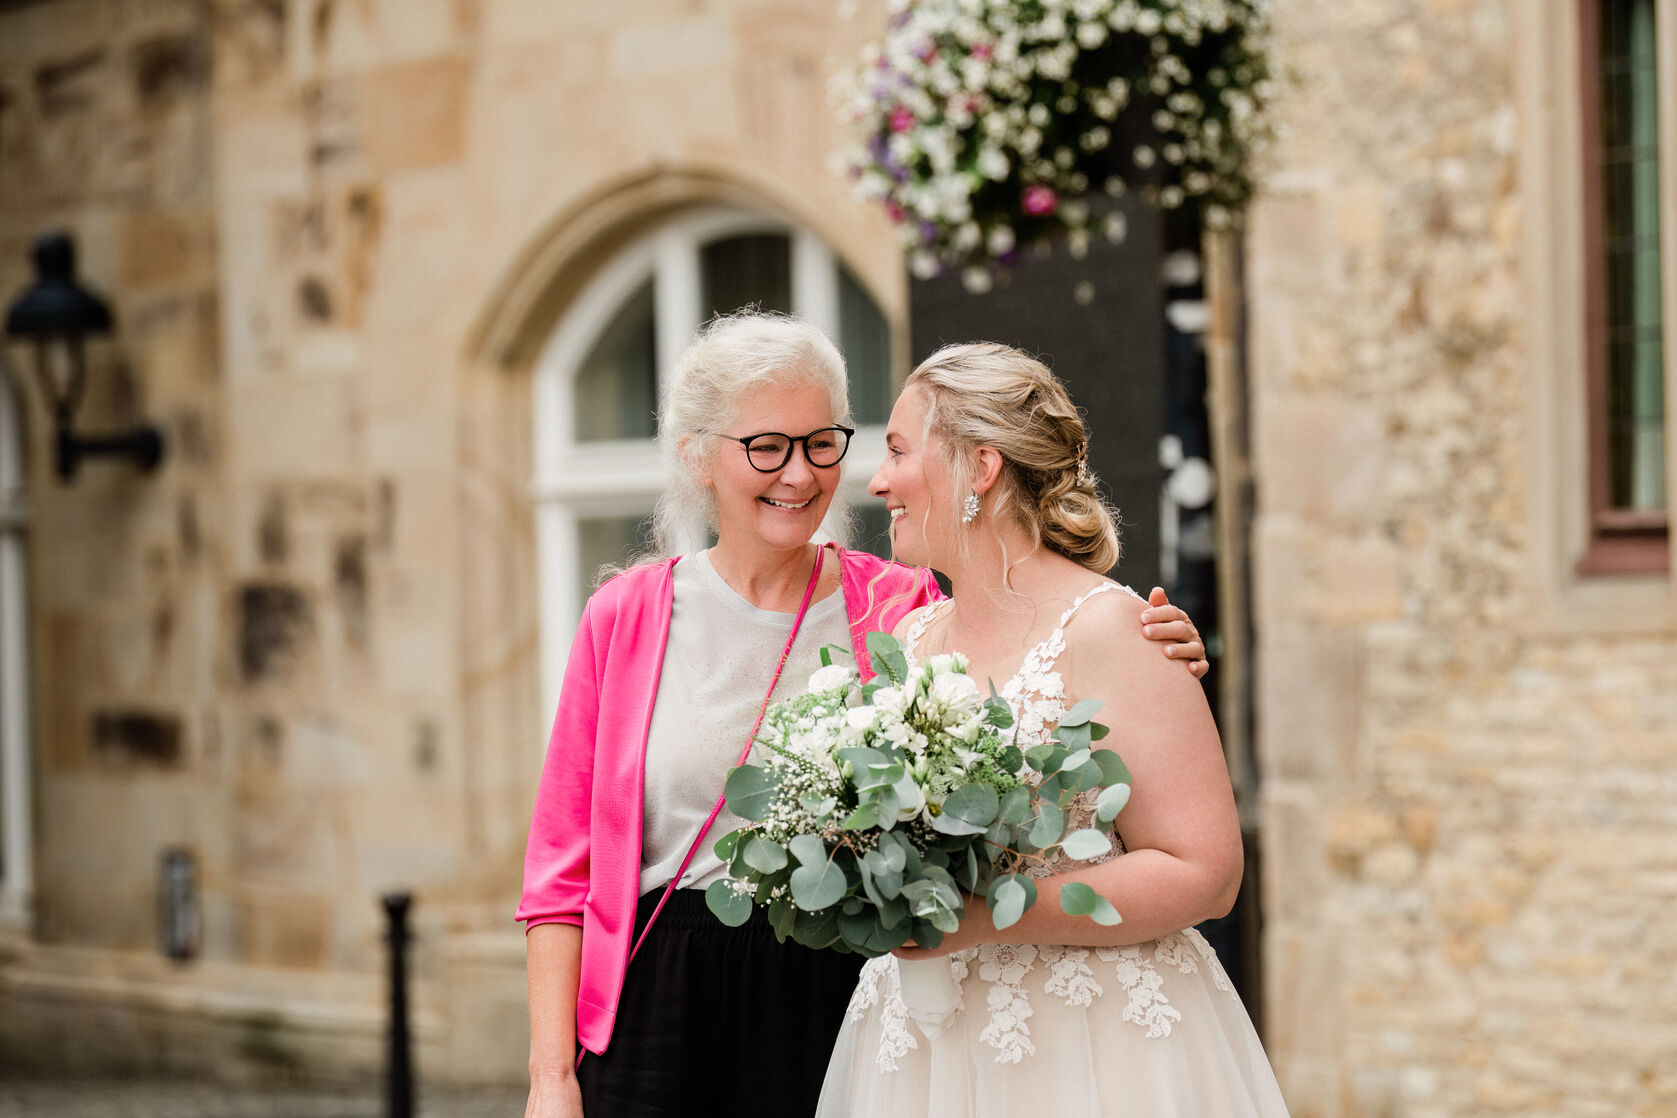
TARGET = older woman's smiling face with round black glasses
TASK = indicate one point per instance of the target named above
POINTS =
(769, 495)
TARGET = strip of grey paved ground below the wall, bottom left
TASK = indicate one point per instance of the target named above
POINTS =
(113, 1099)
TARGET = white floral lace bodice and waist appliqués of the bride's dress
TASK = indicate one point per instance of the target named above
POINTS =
(1037, 698)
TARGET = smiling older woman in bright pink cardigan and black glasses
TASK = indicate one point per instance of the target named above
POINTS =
(672, 668)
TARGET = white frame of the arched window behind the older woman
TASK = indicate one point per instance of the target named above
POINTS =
(579, 480)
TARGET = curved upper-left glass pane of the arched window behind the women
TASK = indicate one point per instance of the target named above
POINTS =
(618, 381)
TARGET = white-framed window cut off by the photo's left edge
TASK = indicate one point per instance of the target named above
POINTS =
(16, 871)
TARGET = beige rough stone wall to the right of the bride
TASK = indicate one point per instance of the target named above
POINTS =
(1468, 799)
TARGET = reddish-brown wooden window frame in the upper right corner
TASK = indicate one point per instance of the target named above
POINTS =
(1622, 542)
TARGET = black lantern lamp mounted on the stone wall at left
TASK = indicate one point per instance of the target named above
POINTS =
(58, 314)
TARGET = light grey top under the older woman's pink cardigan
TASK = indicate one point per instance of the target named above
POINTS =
(720, 658)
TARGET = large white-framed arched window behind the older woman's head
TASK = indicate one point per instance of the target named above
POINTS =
(598, 383)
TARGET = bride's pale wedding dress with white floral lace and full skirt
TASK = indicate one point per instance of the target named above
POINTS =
(1148, 1032)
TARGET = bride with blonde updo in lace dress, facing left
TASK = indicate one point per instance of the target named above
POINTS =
(987, 480)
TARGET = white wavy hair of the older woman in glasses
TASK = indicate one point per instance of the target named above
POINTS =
(732, 356)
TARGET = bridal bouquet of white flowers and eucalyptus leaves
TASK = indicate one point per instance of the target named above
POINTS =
(880, 805)
